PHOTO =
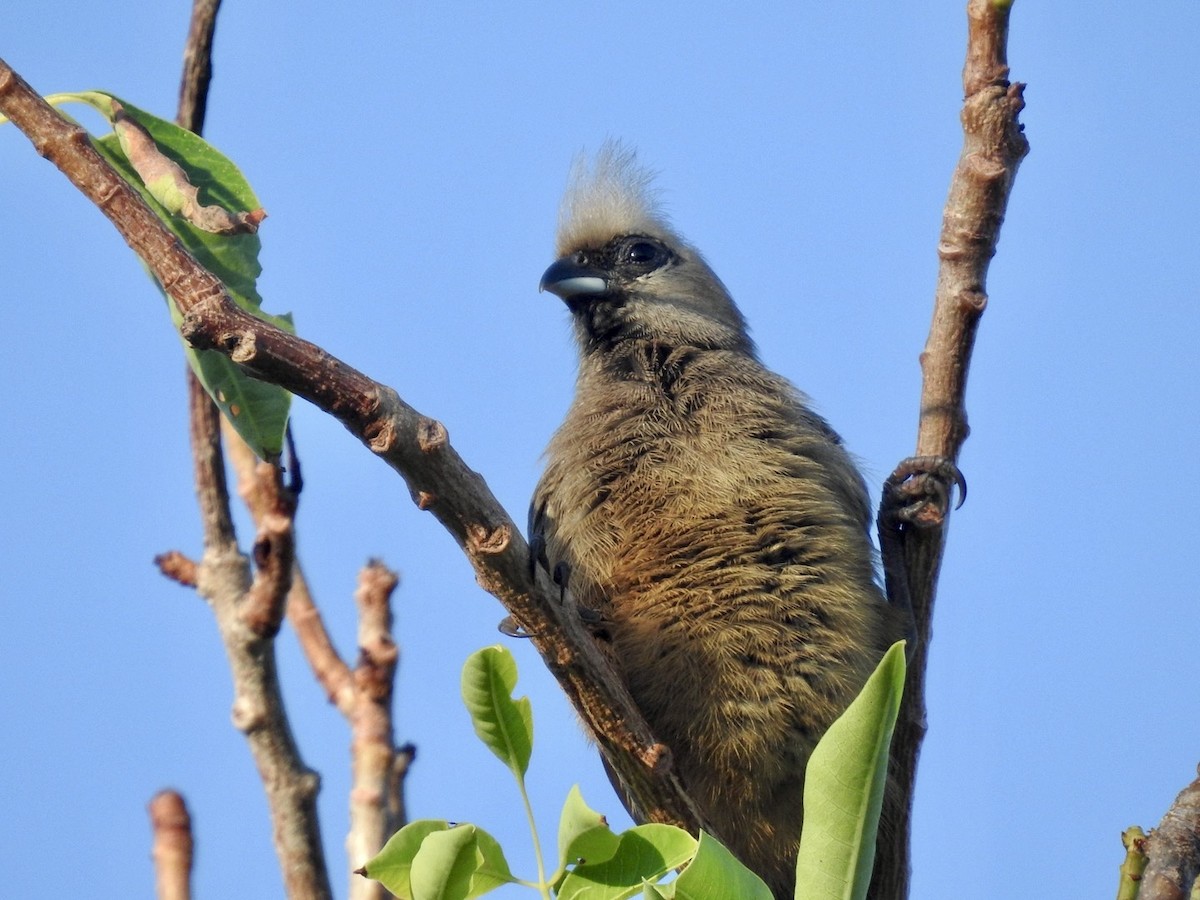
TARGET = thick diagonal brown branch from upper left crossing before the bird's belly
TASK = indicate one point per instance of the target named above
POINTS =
(415, 446)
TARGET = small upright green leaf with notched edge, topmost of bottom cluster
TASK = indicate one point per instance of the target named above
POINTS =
(502, 723)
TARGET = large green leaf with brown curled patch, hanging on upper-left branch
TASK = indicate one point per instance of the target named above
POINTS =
(259, 411)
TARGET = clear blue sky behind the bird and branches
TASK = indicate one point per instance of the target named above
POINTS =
(411, 159)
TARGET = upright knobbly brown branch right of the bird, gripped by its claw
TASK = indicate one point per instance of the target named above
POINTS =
(993, 148)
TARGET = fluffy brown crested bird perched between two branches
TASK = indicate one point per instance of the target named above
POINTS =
(711, 526)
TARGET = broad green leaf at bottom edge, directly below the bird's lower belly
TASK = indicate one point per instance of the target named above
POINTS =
(644, 854)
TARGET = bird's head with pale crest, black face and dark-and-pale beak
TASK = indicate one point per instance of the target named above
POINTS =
(626, 274)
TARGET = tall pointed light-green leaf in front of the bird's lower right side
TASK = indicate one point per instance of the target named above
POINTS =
(844, 790)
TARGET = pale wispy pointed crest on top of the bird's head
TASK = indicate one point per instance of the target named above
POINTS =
(608, 196)
